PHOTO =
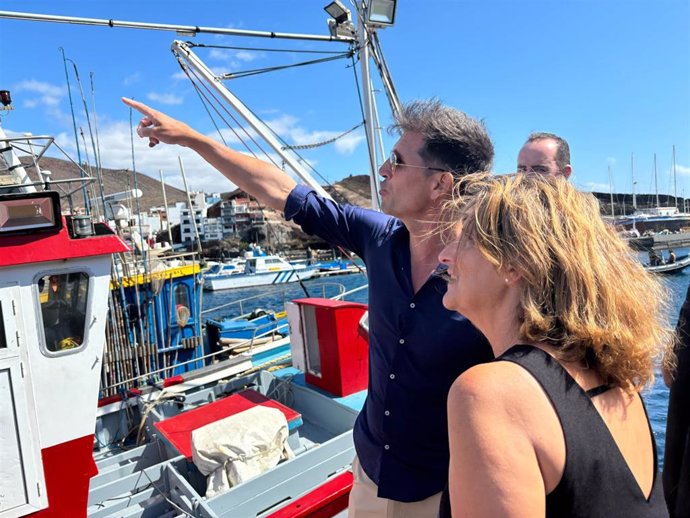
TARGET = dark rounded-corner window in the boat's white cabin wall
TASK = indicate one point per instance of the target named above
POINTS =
(63, 299)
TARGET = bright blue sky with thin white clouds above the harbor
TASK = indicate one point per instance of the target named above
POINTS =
(611, 76)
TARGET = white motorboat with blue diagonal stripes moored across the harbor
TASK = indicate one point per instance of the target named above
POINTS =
(258, 271)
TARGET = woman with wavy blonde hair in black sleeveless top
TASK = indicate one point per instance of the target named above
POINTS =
(555, 426)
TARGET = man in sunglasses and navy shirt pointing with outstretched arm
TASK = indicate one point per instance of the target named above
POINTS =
(417, 348)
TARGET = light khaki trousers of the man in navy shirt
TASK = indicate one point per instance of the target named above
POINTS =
(365, 504)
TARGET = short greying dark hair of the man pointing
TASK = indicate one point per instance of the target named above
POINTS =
(452, 139)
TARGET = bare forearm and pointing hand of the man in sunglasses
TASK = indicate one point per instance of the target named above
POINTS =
(264, 181)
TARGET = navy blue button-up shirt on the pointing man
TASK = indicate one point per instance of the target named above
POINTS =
(417, 348)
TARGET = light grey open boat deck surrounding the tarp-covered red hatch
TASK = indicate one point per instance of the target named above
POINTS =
(156, 479)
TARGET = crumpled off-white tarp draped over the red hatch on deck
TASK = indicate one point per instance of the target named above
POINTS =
(239, 447)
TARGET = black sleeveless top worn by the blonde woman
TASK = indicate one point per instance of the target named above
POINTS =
(597, 481)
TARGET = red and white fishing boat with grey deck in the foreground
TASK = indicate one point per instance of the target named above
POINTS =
(58, 300)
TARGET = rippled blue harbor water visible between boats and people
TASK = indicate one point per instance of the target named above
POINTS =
(274, 298)
